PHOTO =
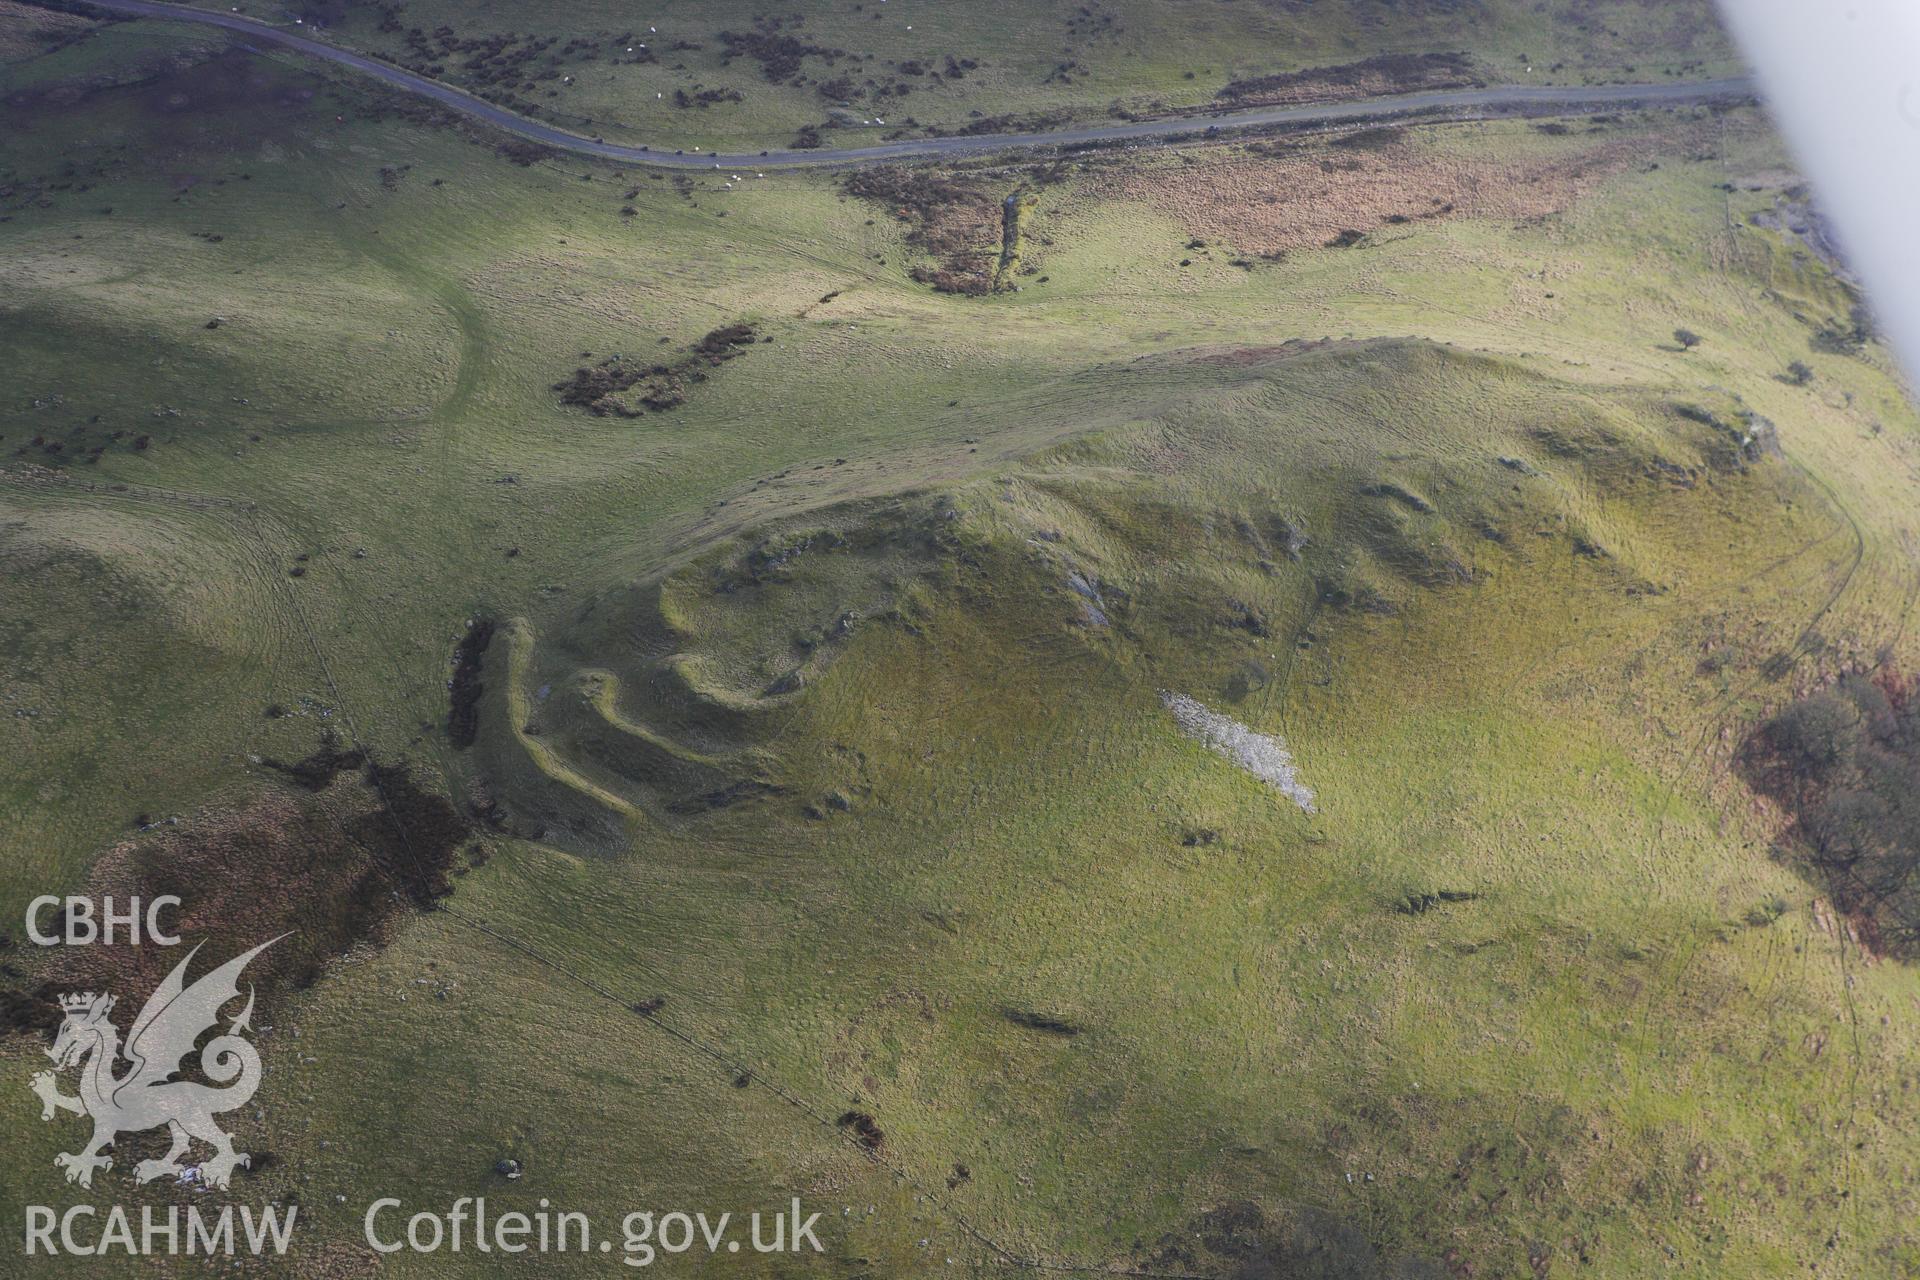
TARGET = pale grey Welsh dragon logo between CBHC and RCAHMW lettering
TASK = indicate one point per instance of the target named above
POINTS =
(147, 1095)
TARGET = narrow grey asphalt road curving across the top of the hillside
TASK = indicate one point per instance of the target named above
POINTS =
(1508, 97)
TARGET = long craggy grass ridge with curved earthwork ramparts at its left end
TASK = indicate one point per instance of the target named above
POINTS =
(1222, 542)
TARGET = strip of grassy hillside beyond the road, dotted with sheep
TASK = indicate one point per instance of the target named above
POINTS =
(738, 76)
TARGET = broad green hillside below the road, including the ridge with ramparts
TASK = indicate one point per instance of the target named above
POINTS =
(834, 705)
